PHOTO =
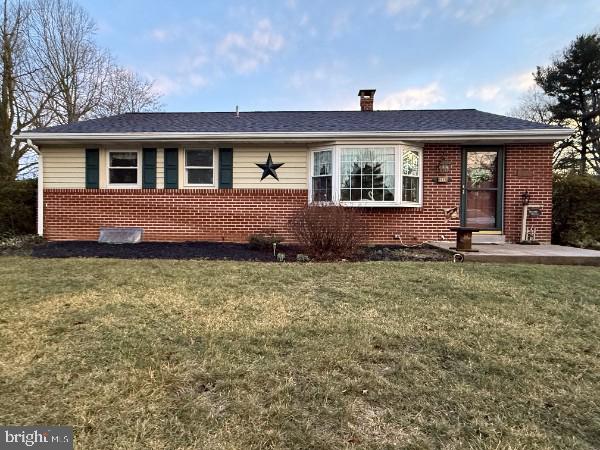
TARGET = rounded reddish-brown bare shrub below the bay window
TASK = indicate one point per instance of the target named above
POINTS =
(328, 231)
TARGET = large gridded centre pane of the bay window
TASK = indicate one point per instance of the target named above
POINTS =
(368, 174)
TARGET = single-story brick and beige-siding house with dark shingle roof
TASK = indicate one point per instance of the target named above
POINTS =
(221, 176)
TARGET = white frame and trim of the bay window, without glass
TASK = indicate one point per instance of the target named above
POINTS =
(336, 175)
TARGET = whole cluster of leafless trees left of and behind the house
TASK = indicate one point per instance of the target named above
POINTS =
(53, 72)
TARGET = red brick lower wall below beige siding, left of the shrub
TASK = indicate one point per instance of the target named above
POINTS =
(170, 215)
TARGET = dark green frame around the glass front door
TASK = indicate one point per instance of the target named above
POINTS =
(501, 183)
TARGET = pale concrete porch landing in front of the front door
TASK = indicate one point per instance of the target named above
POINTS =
(533, 254)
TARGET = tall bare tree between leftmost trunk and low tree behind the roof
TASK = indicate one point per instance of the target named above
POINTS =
(64, 38)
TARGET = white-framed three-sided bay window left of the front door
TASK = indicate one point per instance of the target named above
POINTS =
(371, 175)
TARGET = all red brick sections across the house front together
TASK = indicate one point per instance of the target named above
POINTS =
(231, 215)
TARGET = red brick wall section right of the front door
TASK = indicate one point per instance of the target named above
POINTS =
(528, 167)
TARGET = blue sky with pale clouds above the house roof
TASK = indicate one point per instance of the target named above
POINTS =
(315, 55)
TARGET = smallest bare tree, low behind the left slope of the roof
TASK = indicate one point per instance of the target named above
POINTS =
(125, 91)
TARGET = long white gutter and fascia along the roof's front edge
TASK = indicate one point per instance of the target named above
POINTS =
(540, 134)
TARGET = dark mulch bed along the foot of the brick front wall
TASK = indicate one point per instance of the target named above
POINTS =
(217, 251)
